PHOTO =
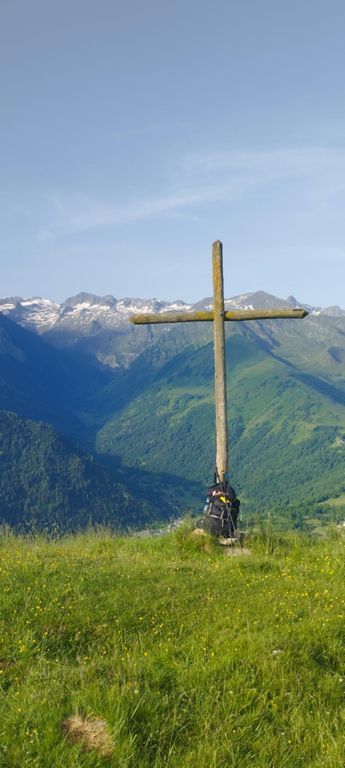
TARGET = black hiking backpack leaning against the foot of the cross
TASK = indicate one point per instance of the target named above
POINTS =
(222, 508)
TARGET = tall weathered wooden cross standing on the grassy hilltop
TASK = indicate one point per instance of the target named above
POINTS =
(218, 316)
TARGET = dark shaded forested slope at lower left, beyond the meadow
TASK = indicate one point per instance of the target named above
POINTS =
(47, 484)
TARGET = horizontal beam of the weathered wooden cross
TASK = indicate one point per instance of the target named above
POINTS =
(237, 314)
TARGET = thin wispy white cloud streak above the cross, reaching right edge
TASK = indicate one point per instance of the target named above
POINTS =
(213, 177)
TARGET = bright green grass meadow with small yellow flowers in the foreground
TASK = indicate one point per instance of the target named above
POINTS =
(191, 657)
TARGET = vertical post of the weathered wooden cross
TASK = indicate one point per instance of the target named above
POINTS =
(219, 361)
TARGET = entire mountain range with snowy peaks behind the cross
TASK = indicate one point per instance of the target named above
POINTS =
(138, 402)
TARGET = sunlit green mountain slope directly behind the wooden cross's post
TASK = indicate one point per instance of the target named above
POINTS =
(286, 430)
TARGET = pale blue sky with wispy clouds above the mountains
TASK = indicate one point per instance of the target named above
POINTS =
(133, 134)
